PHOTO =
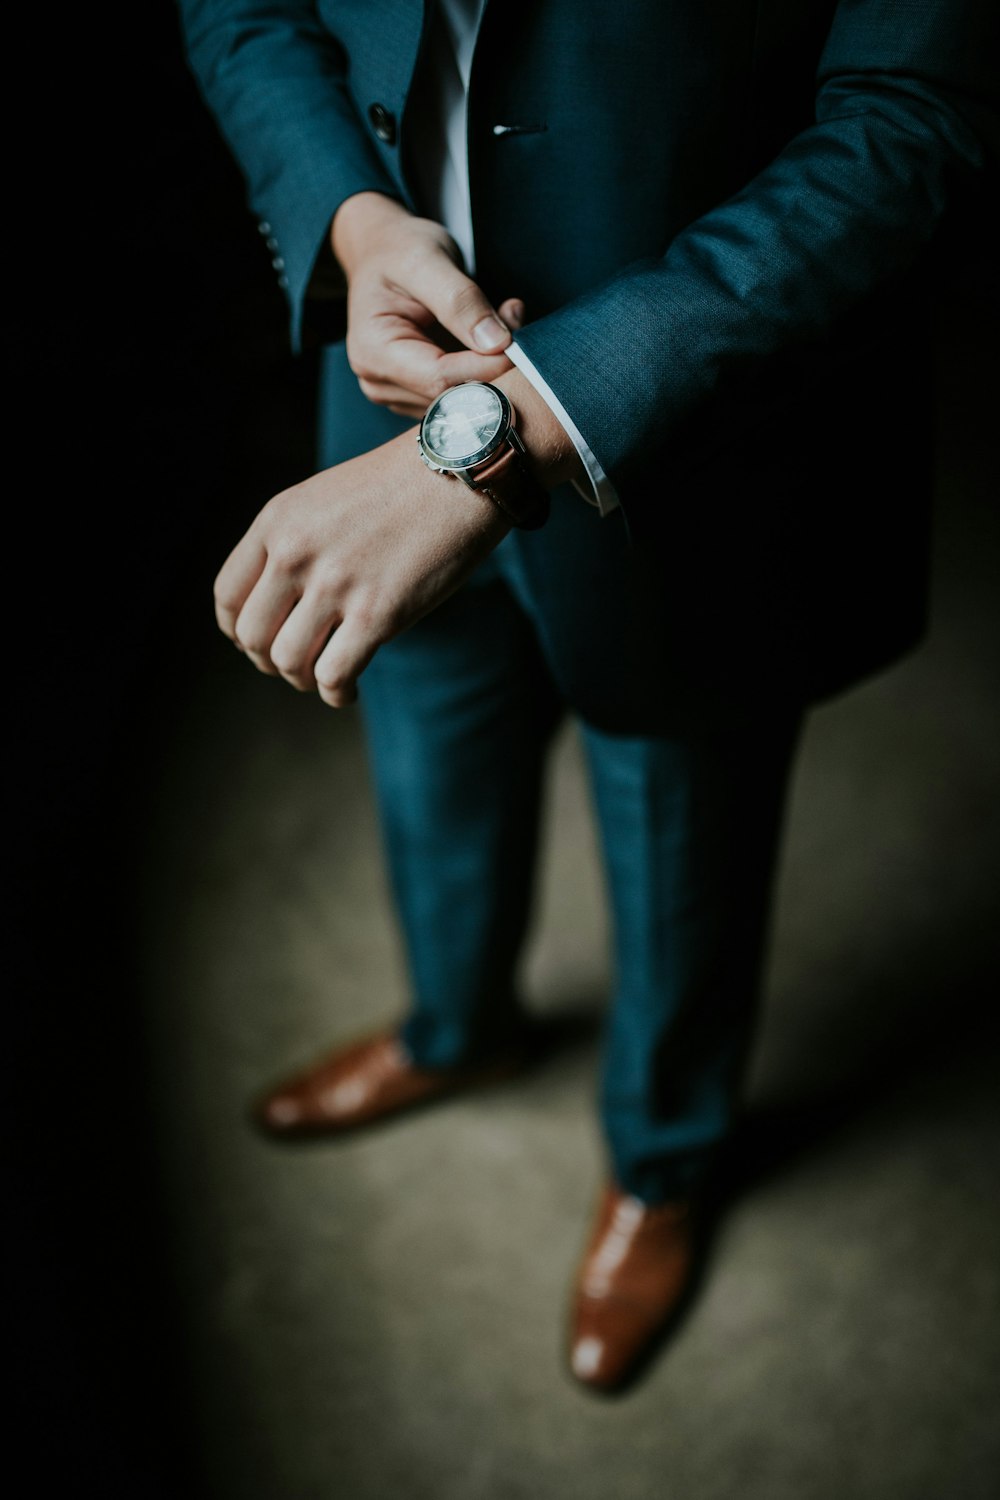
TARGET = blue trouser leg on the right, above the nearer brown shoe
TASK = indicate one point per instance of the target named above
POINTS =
(690, 832)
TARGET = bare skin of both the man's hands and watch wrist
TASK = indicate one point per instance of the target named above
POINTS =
(338, 565)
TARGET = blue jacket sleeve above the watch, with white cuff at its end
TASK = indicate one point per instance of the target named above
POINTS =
(749, 298)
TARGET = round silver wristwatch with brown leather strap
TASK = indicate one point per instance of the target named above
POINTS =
(470, 431)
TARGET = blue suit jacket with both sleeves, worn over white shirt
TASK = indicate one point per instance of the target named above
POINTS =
(723, 220)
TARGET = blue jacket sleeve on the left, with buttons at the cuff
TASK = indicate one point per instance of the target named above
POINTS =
(275, 82)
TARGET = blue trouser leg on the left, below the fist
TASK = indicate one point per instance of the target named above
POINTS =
(460, 713)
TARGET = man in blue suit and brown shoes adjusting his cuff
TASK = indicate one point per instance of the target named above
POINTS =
(654, 283)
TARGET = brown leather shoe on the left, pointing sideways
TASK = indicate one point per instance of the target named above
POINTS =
(362, 1084)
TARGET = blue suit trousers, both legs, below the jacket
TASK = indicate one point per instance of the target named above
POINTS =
(460, 715)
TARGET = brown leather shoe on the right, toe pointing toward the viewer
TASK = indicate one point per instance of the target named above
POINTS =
(633, 1280)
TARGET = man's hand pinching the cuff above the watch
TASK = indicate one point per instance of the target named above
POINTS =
(416, 322)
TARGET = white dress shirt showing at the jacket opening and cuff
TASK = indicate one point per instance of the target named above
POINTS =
(445, 172)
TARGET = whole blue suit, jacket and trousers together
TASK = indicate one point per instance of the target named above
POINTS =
(725, 220)
